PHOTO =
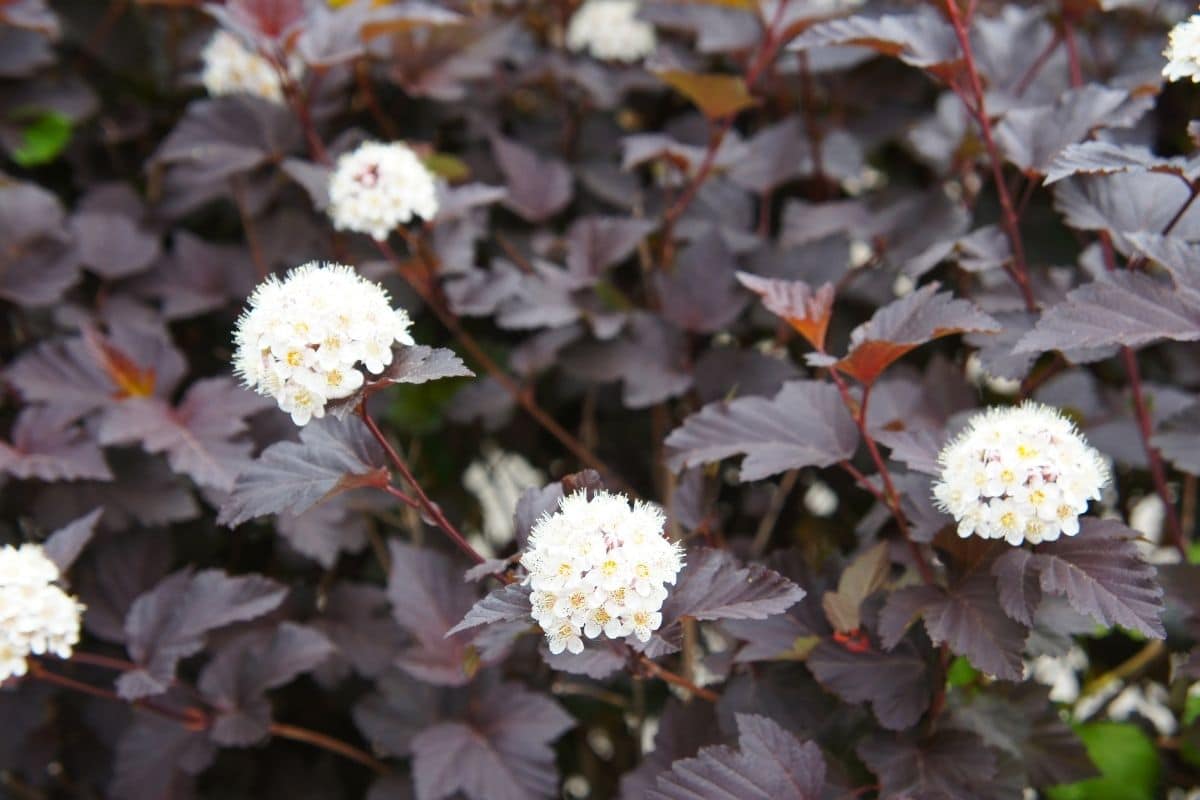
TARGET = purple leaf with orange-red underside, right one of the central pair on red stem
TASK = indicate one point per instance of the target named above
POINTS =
(905, 324)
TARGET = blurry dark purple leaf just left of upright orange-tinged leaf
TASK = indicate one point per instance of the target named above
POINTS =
(699, 293)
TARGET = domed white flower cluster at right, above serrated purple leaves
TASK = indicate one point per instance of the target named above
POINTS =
(1019, 474)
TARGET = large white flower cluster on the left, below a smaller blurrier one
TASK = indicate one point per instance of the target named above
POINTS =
(303, 339)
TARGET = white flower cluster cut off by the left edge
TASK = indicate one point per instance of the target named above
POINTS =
(37, 617)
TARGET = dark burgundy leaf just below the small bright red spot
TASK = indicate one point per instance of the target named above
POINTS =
(897, 684)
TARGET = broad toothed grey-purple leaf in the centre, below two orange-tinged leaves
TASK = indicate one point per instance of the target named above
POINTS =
(805, 425)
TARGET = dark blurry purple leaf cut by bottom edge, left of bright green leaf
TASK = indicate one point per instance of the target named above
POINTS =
(947, 766)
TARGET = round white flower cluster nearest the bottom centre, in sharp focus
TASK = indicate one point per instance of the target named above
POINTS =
(598, 567)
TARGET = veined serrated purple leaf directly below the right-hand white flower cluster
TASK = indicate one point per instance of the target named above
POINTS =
(1102, 575)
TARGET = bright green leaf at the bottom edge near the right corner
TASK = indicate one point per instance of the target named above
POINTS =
(1127, 761)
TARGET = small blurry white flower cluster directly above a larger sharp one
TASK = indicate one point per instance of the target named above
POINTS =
(380, 187)
